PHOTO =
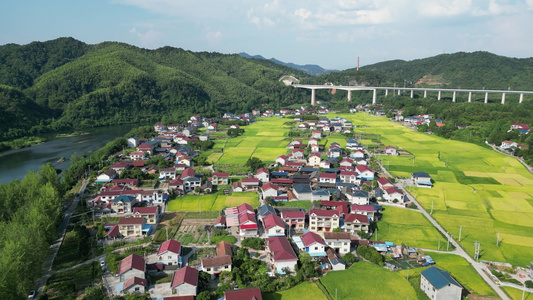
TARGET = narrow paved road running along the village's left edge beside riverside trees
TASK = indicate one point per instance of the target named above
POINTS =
(47, 266)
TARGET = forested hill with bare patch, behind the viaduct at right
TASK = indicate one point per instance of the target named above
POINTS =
(465, 70)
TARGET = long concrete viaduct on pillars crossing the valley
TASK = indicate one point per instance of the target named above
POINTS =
(374, 89)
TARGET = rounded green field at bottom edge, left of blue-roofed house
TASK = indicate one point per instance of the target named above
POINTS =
(366, 279)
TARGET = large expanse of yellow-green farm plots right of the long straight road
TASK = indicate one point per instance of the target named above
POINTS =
(479, 189)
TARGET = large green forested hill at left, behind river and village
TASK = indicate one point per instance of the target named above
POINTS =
(66, 83)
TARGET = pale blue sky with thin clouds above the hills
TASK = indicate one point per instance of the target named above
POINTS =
(330, 33)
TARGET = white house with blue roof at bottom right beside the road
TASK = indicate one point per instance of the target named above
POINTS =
(438, 284)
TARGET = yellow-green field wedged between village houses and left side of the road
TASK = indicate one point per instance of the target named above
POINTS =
(409, 227)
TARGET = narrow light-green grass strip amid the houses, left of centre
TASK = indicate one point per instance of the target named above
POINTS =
(212, 202)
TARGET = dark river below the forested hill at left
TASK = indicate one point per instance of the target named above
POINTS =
(14, 164)
